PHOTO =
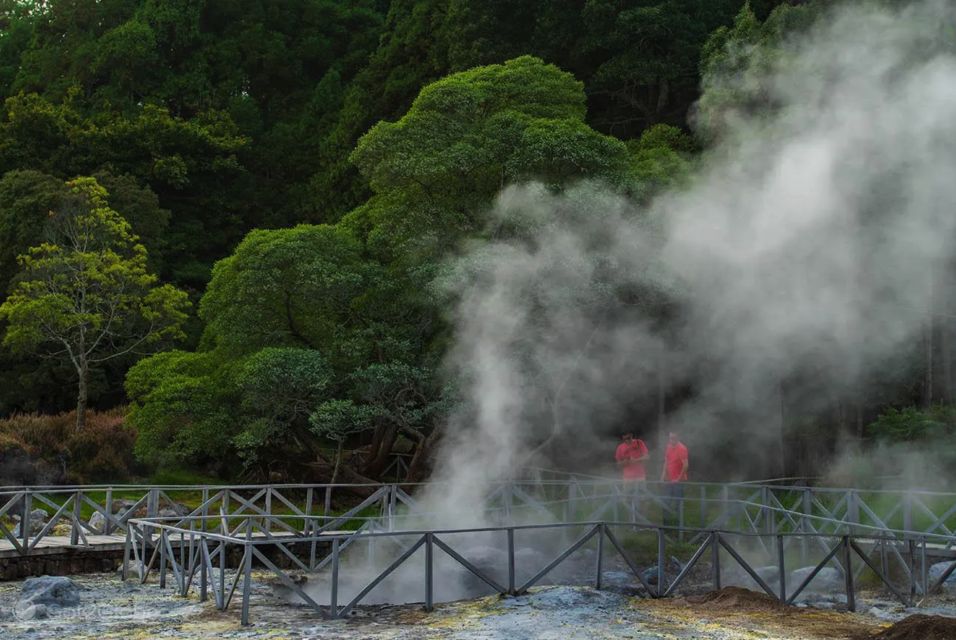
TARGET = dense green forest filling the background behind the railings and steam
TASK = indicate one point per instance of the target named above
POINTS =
(222, 221)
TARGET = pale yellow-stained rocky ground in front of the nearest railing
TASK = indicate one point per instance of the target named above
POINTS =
(111, 609)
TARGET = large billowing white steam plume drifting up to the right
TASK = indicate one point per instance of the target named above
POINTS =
(806, 254)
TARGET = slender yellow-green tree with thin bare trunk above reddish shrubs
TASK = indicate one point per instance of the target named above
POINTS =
(86, 295)
